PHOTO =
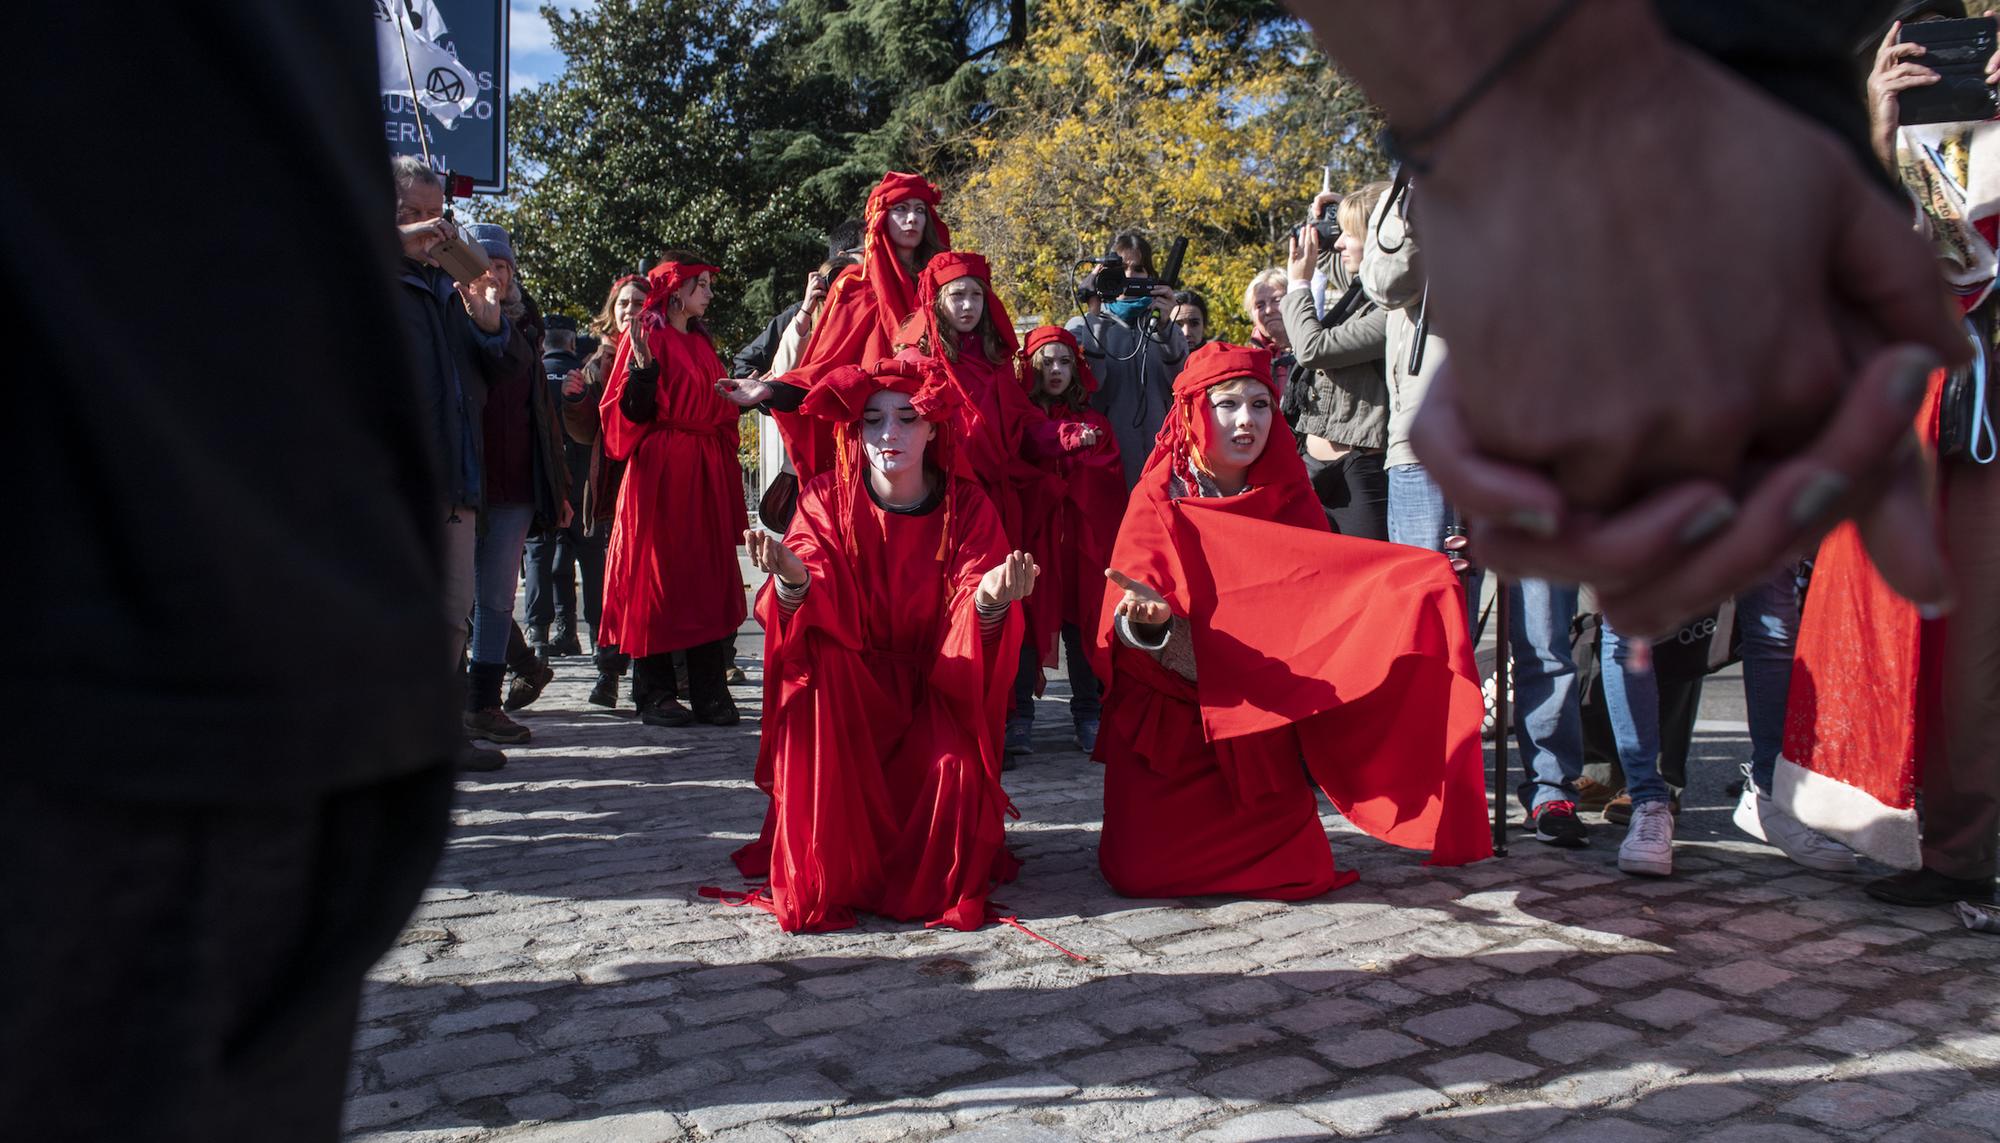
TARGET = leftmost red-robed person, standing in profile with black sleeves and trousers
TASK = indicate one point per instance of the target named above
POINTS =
(671, 576)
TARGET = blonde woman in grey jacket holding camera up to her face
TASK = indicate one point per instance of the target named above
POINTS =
(1337, 397)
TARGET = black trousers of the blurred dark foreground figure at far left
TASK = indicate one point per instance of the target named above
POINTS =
(193, 972)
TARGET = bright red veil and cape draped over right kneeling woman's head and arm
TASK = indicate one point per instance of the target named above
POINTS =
(1361, 646)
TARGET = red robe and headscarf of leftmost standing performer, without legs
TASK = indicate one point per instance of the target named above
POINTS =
(671, 576)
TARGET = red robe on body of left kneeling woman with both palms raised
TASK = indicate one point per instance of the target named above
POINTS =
(883, 718)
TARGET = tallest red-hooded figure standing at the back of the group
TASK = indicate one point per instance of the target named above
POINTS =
(865, 309)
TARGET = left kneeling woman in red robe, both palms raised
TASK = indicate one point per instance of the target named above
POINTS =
(891, 642)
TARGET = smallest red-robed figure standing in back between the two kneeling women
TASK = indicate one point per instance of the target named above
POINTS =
(1071, 523)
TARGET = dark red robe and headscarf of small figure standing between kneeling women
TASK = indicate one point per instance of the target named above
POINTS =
(1071, 519)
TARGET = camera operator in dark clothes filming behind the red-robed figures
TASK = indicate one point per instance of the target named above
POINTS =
(1133, 349)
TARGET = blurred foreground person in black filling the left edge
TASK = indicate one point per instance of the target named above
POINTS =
(231, 754)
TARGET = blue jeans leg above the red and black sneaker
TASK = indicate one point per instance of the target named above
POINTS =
(1549, 720)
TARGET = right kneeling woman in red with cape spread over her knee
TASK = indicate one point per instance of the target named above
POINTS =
(1239, 636)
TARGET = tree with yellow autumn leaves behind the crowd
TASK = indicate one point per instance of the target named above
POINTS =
(1163, 117)
